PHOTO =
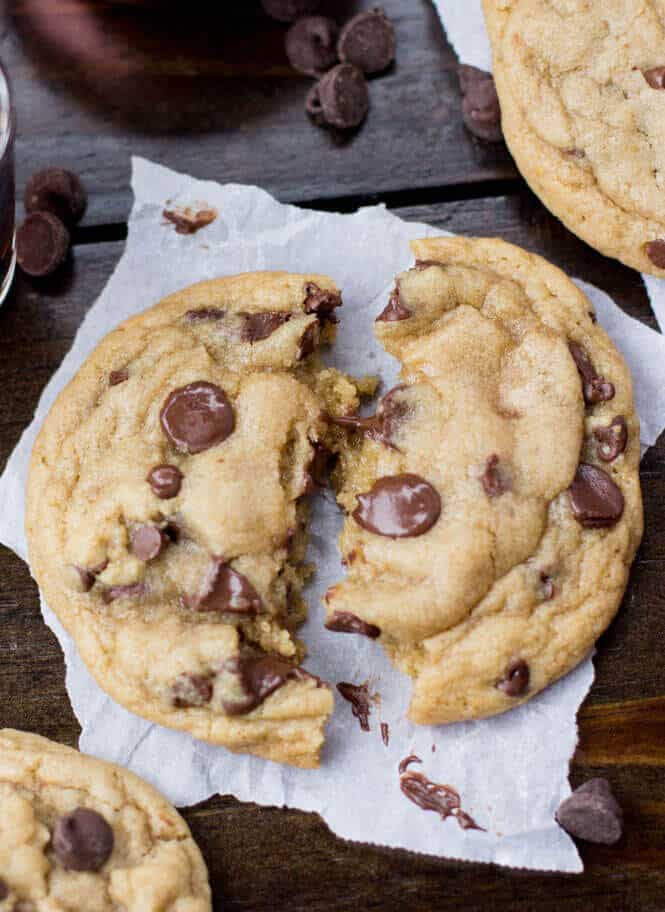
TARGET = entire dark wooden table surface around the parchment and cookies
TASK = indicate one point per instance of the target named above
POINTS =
(210, 92)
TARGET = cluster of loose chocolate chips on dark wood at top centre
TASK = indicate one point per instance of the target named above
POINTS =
(339, 59)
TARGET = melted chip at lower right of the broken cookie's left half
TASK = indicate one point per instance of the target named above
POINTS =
(246, 681)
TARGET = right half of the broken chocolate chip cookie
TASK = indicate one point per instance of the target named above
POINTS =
(493, 501)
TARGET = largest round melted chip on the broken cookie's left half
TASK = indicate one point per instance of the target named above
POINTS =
(197, 416)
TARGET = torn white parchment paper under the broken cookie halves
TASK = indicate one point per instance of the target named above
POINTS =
(512, 771)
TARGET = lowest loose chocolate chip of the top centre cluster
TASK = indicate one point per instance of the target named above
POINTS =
(340, 98)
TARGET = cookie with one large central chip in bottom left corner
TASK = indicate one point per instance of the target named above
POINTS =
(77, 833)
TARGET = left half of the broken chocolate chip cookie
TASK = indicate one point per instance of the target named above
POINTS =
(166, 517)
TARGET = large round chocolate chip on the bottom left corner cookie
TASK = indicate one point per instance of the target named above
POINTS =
(82, 840)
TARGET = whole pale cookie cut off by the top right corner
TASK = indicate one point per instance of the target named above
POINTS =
(581, 92)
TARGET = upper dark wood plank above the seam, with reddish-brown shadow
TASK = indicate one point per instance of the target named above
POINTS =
(206, 88)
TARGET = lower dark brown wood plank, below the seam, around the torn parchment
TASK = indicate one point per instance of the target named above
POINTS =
(264, 859)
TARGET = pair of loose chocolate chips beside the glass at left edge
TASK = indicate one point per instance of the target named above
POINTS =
(55, 201)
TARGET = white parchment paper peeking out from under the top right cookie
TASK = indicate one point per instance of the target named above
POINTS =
(465, 27)
